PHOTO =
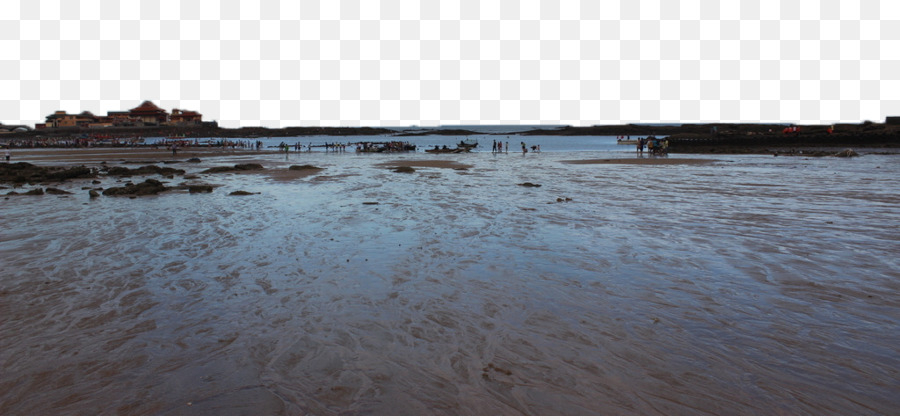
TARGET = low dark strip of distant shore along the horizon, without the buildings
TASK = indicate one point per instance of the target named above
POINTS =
(683, 138)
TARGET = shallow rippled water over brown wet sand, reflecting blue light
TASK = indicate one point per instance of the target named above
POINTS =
(751, 285)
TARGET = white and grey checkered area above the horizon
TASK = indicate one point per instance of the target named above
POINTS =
(281, 63)
